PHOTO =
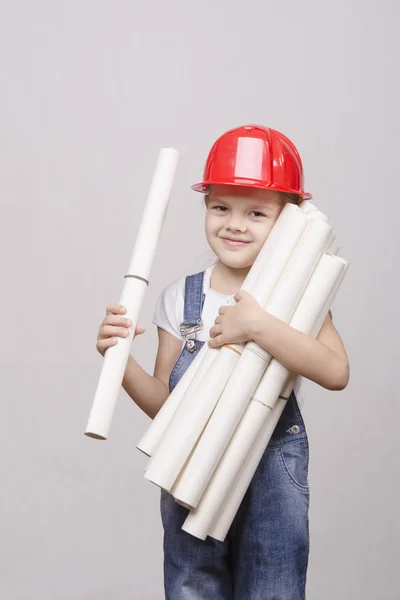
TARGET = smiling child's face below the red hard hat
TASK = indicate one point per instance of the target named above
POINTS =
(238, 221)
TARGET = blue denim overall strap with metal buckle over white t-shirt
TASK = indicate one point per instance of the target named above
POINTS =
(194, 300)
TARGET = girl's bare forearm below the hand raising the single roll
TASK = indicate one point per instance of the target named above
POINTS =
(148, 392)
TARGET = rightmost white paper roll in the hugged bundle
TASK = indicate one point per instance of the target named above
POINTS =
(230, 505)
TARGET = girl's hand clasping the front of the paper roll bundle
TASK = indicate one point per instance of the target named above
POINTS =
(233, 324)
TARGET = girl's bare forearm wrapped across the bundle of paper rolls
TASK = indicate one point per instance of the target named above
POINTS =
(299, 352)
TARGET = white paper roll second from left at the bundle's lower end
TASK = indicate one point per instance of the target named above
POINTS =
(194, 411)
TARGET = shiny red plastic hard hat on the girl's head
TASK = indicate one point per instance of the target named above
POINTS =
(254, 156)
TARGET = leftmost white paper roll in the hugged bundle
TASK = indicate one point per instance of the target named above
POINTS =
(186, 385)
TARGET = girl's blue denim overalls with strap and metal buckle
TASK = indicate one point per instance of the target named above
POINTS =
(265, 554)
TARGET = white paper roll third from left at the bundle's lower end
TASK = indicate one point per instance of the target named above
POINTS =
(251, 366)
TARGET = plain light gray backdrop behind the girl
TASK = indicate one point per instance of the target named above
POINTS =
(90, 91)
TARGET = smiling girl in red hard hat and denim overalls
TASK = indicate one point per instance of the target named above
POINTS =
(250, 174)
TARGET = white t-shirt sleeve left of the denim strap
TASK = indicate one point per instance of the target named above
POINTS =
(168, 313)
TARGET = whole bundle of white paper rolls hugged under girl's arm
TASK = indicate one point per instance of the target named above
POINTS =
(185, 451)
